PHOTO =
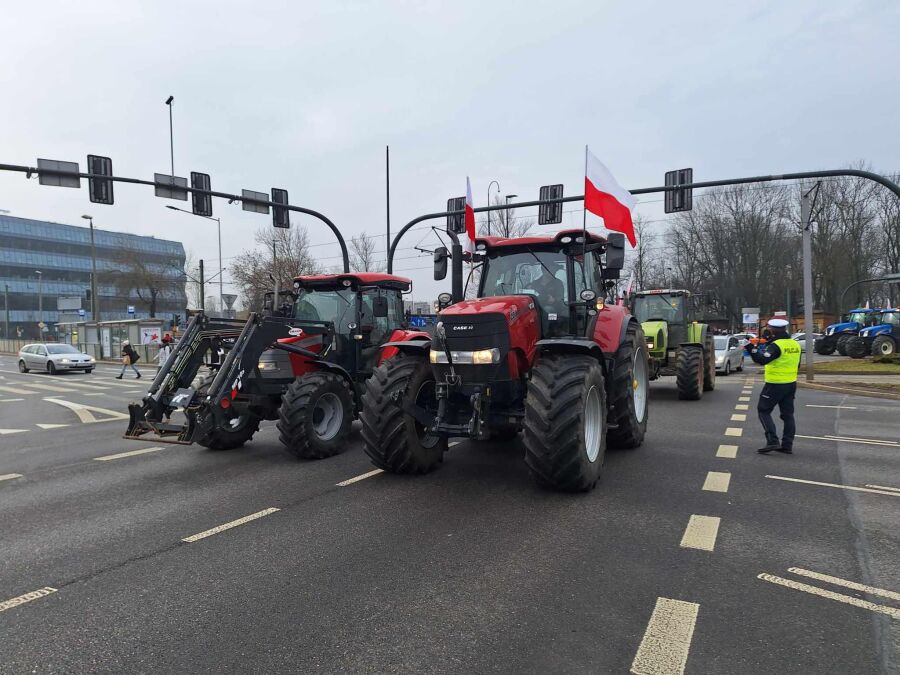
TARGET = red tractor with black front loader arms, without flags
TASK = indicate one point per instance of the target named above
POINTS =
(302, 364)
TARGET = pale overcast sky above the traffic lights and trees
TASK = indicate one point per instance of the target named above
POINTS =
(305, 96)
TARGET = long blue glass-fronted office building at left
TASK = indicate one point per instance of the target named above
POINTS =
(62, 255)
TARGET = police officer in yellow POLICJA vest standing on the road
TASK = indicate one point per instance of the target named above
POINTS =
(781, 358)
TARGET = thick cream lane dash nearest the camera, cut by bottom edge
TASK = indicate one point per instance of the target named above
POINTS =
(667, 640)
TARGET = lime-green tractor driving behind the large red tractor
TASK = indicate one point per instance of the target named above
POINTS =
(679, 344)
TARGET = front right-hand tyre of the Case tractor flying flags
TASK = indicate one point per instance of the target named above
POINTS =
(565, 422)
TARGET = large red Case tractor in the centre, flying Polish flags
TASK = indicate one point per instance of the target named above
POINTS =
(538, 350)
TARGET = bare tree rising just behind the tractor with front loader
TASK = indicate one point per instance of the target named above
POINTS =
(280, 254)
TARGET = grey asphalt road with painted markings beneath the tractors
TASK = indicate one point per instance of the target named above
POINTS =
(470, 568)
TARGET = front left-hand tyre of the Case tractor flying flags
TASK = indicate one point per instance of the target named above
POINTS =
(393, 440)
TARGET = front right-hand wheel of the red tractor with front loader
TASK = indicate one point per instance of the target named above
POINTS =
(315, 415)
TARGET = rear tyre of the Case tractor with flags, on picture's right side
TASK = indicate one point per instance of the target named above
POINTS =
(628, 391)
